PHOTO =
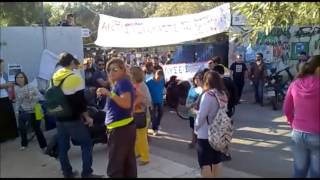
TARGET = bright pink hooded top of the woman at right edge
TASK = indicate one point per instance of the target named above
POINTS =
(302, 104)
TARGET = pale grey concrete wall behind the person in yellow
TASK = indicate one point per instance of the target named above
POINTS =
(24, 45)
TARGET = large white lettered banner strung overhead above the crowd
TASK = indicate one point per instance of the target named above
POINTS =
(158, 31)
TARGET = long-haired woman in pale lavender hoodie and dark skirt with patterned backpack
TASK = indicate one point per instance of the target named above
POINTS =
(214, 96)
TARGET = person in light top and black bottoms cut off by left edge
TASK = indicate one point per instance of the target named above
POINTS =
(8, 124)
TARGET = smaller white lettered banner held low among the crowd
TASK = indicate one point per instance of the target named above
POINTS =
(184, 71)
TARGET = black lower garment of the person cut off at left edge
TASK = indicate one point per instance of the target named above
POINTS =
(8, 124)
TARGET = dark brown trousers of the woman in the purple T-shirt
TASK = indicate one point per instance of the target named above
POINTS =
(122, 160)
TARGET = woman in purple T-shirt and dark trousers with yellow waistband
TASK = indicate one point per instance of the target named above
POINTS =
(119, 121)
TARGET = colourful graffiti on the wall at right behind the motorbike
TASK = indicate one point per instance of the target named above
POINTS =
(280, 45)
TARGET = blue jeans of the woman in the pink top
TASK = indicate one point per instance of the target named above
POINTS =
(306, 154)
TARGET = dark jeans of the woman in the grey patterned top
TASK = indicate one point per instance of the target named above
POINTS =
(24, 118)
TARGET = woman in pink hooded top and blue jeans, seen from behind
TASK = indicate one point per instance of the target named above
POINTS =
(301, 107)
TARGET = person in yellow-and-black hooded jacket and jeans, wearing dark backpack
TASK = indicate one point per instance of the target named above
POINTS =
(73, 126)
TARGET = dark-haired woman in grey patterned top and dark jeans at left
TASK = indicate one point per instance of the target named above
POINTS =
(26, 98)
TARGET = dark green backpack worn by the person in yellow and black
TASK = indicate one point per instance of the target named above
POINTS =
(57, 103)
